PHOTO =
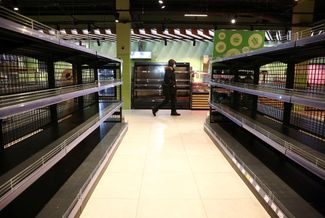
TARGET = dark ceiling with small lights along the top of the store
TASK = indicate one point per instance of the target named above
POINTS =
(250, 14)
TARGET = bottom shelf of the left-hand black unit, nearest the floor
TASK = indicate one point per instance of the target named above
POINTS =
(69, 183)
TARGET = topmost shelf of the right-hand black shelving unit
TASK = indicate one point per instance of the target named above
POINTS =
(294, 51)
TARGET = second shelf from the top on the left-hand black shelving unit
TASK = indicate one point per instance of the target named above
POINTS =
(38, 99)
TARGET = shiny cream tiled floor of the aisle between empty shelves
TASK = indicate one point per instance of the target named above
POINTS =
(168, 167)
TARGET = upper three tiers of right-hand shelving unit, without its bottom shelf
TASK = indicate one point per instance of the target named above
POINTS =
(284, 84)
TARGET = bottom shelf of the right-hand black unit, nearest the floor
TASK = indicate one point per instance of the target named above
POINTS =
(285, 191)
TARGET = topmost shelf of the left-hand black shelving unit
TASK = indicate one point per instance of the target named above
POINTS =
(19, 39)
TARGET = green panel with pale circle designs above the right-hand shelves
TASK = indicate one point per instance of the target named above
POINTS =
(232, 42)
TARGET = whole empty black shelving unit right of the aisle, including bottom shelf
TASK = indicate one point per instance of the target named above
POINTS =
(274, 97)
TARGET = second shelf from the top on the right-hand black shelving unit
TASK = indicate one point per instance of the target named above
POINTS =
(286, 95)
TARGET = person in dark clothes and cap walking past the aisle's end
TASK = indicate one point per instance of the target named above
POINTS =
(169, 89)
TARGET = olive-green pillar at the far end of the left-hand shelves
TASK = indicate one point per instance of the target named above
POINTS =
(123, 48)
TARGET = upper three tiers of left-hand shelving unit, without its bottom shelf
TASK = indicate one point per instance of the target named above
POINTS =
(44, 81)
